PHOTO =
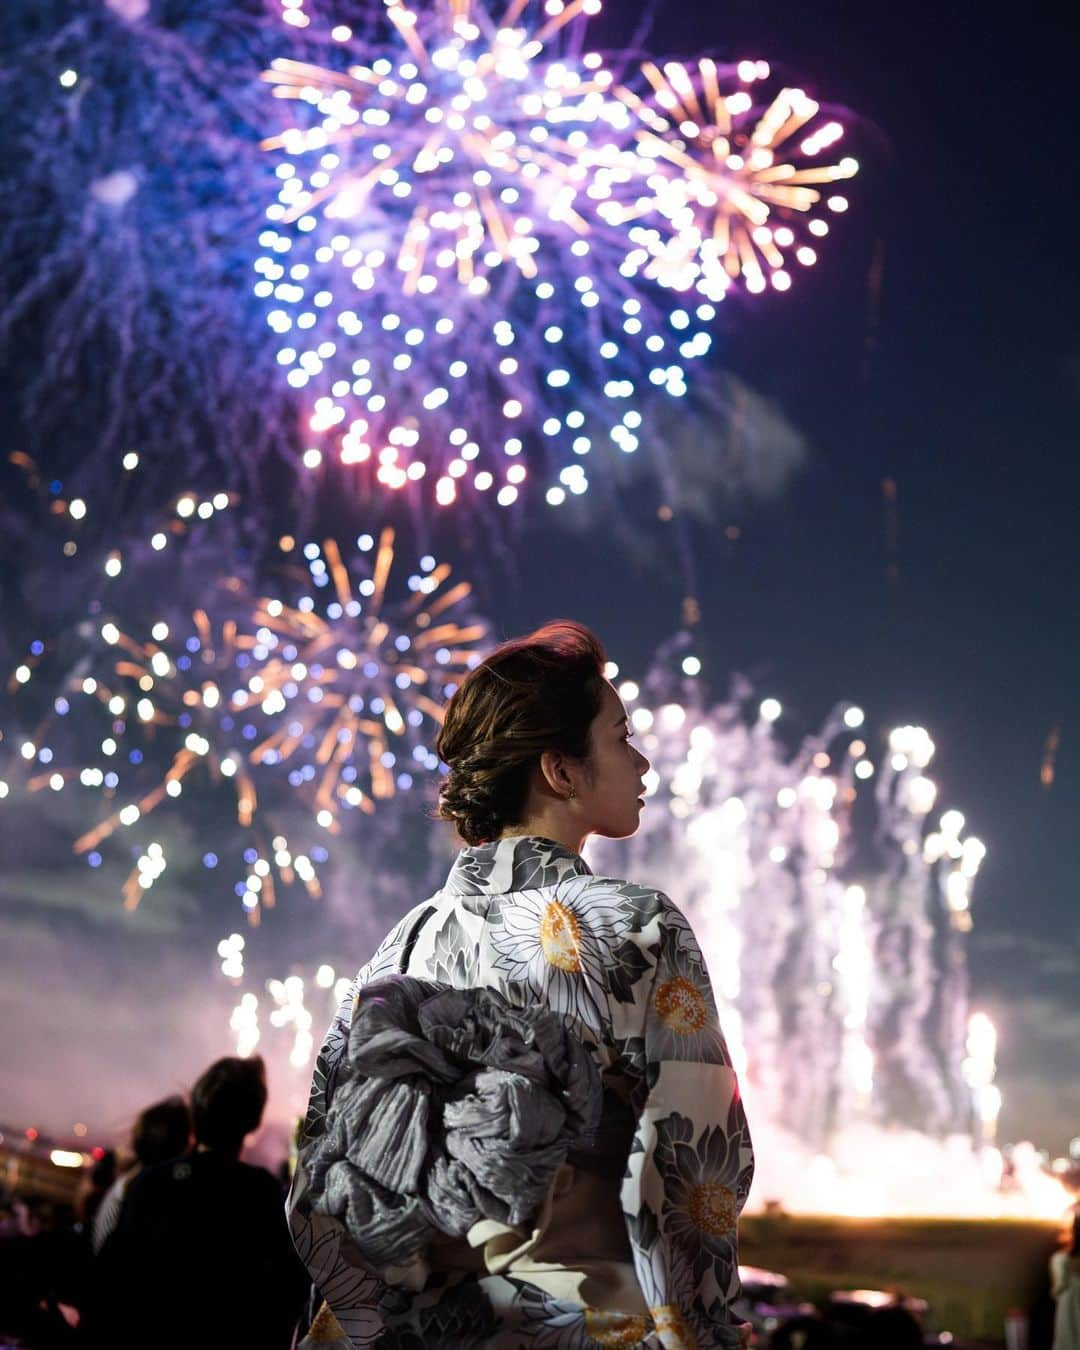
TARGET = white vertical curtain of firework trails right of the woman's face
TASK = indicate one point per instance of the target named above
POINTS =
(831, 909)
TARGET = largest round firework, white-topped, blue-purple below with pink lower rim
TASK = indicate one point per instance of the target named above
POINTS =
(448, 295)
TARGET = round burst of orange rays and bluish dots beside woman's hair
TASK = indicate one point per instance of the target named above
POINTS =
(349, 689)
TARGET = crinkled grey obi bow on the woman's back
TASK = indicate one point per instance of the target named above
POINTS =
(452, 1108)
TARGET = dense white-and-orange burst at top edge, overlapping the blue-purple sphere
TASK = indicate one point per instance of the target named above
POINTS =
(480, 171)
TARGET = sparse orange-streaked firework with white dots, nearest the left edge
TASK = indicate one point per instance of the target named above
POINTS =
(145, 720)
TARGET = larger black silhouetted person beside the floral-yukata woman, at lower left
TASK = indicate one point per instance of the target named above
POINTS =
(202, 1255)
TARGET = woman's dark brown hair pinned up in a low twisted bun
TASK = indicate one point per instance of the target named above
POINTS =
(533, 695)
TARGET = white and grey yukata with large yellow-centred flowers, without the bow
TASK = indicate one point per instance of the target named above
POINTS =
(637, 1241)
